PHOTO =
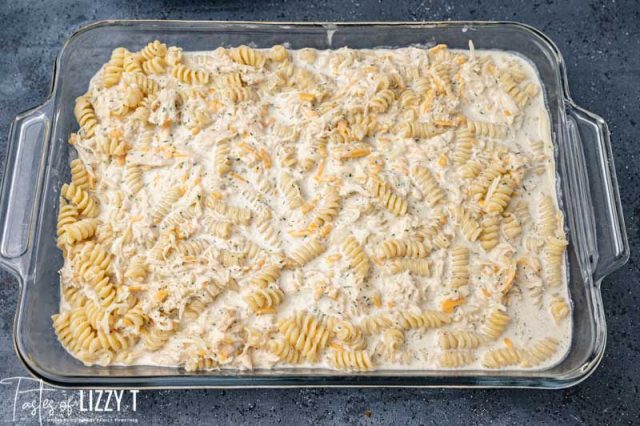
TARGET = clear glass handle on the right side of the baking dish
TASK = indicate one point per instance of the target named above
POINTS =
(609, 244)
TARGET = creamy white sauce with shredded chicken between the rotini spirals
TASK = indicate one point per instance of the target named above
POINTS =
(227, 324)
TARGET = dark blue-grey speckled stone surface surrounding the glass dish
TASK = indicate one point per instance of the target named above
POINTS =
(600, 42)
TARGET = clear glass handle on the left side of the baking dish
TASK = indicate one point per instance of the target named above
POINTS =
(21, 184)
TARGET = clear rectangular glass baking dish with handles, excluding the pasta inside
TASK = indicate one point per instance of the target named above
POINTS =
(37, 166)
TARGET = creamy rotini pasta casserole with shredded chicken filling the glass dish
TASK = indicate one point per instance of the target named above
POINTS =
(347, 209)
